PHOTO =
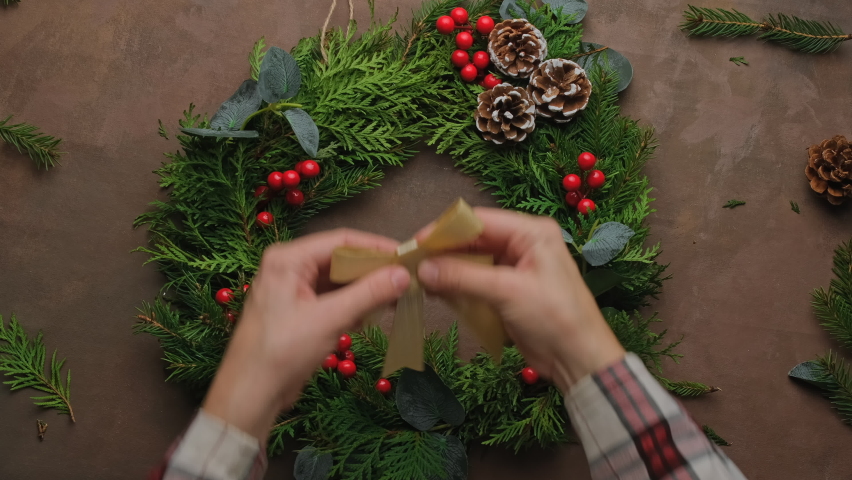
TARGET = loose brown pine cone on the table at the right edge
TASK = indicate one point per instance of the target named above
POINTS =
(830, 169)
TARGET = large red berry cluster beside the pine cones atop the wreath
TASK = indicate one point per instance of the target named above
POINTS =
(475, 69)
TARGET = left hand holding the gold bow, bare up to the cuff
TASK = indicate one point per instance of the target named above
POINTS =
(290, 321)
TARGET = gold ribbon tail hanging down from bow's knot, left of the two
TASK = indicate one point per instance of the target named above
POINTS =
(405, 345)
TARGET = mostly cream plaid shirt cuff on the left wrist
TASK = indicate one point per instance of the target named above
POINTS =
(212, 450)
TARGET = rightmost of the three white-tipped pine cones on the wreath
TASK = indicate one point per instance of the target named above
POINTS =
(560, 89)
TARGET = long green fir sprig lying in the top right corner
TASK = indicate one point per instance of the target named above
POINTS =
(806, 35)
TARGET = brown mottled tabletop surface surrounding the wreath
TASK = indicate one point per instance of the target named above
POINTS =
(99, 73)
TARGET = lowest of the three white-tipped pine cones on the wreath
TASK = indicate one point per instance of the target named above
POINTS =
(505, 113)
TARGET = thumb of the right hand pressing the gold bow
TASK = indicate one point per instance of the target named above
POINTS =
(446, 275)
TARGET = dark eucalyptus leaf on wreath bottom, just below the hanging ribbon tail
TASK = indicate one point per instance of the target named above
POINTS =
(422, 399)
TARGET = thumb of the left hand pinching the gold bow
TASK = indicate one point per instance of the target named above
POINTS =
(350, 303)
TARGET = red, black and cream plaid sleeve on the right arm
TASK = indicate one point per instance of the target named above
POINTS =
(632, 429)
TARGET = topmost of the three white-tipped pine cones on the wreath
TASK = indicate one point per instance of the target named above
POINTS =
(516, 47)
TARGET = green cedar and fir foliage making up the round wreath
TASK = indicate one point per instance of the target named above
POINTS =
(376, 97)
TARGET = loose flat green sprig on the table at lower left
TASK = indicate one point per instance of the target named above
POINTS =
(23, 360)
